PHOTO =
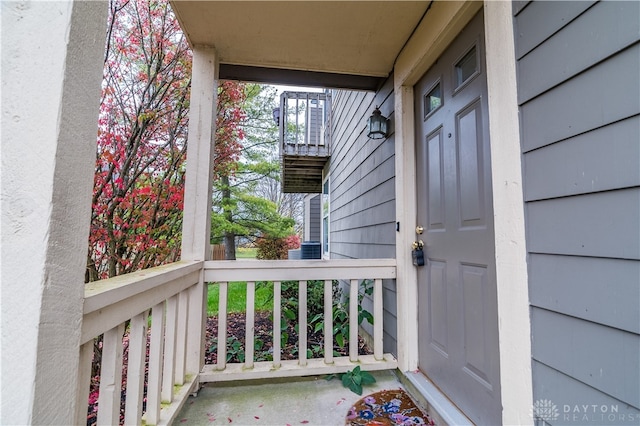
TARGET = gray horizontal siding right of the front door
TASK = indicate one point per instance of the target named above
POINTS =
(578, 67)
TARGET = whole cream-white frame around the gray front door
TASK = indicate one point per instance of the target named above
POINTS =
(442, 23)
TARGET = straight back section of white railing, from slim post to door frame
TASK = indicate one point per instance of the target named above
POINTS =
(300, 271)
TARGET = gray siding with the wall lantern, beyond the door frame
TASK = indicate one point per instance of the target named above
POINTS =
(362, 188)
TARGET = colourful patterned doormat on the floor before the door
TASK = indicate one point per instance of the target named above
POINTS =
(388, 407)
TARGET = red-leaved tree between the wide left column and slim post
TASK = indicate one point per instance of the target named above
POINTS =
(141, 148)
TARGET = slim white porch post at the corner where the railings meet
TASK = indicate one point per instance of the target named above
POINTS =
(196, 227)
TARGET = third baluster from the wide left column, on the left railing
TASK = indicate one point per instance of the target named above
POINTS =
(135, 368)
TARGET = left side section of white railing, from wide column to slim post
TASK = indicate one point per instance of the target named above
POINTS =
(157, 298)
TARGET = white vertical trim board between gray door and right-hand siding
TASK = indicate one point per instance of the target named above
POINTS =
(508, 208)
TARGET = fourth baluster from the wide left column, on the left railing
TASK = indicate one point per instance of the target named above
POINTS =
(156, 354)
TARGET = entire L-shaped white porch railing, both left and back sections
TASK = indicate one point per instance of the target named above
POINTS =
(160, 311)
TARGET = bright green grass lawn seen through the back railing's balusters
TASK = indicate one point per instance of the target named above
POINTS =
(237, 297)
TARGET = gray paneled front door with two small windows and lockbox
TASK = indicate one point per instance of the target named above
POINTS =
(458, 322)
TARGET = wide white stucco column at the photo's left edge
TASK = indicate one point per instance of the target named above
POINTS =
(52, 63)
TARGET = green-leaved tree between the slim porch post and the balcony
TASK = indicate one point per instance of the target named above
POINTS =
(241, 205)
